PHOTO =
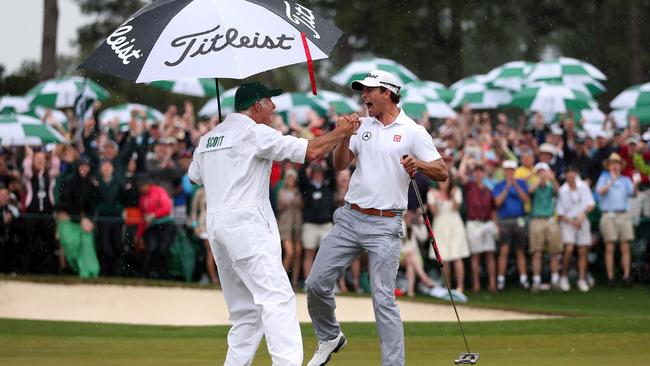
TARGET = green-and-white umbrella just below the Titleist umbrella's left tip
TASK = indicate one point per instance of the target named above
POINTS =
(62, 92)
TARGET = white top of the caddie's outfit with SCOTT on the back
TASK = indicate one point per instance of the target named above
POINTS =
(233, 161)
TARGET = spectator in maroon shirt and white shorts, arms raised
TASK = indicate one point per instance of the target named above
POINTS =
(481, 227)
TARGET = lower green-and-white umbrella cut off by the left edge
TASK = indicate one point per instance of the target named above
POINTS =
(19, 130)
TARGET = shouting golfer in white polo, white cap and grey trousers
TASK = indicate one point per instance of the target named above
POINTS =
(371, 218)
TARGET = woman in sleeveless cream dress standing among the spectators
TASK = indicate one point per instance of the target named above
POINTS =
(444, 204)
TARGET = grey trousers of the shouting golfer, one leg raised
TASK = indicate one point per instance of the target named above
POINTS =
(354, 232)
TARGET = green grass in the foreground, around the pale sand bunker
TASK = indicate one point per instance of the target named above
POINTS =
(603, 327)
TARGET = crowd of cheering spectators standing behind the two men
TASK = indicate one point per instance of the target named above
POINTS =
(114, 200)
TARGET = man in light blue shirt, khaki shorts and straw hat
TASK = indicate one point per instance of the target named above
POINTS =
(614, 190)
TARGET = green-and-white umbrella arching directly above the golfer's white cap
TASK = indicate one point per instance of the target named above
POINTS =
(357, 70)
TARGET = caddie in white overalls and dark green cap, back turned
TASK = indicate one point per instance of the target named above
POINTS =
(233, 162)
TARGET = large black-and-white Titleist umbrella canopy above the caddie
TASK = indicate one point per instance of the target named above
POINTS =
(176, 39)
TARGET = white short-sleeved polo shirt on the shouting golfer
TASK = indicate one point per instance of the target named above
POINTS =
(380, 181)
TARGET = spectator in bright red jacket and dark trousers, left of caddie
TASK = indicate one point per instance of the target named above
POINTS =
(156, 206)
